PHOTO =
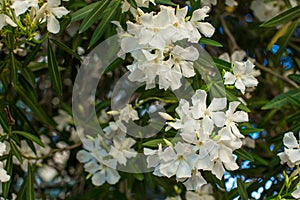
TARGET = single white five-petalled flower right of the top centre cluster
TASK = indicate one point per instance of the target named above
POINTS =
(242, 76)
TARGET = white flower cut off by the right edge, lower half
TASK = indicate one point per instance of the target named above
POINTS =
(291, 154)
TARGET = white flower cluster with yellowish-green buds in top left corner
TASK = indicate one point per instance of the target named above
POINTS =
(27, 13)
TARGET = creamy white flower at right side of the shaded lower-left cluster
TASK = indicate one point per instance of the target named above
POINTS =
(121, 149)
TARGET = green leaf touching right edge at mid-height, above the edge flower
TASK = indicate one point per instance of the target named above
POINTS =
(282, 99)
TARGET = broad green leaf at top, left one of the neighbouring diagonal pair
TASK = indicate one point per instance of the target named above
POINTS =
(95, 14)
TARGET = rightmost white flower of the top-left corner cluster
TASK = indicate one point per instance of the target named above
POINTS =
(49, 12)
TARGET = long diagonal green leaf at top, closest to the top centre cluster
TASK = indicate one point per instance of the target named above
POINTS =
(109, 14)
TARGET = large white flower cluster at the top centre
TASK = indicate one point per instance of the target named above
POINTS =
(152, 43)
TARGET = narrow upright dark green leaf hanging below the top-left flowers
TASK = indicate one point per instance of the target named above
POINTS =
(53, 70)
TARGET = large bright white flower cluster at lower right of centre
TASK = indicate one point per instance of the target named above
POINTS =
(209, 137)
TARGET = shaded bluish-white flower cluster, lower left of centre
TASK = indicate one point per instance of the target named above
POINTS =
(103, 153)
